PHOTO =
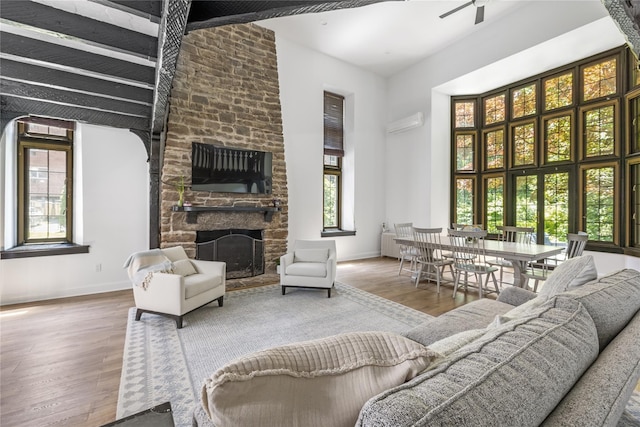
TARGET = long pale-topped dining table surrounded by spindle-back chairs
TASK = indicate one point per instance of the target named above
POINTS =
(519, 254)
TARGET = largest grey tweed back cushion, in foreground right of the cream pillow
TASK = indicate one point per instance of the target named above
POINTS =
(513, 375)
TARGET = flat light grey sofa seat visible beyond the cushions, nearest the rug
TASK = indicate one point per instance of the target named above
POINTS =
(475, 315)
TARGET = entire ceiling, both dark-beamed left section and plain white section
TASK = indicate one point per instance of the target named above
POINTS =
(111, 62)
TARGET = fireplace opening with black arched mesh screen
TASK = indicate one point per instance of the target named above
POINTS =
(242, 250)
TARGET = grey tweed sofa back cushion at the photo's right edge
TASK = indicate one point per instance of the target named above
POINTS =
(611, 301)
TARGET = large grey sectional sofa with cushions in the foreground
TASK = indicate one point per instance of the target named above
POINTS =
(568, 356)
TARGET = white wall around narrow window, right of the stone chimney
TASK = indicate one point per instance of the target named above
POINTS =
(304, 76)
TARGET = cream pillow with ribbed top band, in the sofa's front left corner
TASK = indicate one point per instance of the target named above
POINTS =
(322, 382)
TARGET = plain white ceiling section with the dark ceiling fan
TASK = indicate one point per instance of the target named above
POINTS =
(390, 36)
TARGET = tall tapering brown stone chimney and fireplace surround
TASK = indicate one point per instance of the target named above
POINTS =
(225, 92)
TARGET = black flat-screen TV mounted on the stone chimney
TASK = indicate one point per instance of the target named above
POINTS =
(230, 170)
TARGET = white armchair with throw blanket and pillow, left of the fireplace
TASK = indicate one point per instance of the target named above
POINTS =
(167, 282)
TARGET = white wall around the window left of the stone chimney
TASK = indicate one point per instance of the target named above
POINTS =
(112, 217)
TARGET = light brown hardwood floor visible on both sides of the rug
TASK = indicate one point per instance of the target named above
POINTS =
(60, 360)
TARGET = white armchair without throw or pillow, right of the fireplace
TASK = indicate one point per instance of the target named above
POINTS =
(311, 264)
